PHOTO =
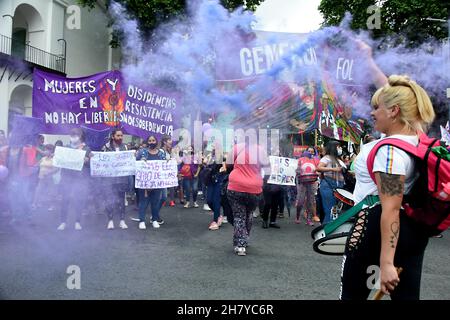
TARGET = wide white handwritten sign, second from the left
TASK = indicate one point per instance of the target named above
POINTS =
(113, 164)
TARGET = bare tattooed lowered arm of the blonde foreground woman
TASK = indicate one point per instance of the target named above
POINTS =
(390, 190)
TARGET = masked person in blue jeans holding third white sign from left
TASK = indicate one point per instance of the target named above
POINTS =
(150, 197)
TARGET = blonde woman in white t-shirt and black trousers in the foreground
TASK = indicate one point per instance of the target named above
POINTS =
(383, 235)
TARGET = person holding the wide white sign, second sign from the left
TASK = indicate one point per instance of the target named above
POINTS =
(118, 186)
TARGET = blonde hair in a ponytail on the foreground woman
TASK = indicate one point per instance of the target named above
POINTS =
(416, 109)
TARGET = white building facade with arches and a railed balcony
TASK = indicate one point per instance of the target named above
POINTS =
(55, 35)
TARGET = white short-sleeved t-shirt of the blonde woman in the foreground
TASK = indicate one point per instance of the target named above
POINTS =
(389, 160)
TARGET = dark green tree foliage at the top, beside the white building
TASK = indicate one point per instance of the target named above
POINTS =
(150, 13)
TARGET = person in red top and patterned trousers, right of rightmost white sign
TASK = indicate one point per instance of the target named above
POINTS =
(307, 179)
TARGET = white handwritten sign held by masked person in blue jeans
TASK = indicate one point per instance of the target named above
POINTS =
(156, 174)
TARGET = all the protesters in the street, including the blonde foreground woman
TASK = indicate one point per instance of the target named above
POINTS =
(234, 190)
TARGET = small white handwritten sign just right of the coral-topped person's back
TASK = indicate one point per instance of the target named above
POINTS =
(282, 171)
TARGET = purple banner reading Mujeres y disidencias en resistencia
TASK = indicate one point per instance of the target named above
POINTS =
(104, 101)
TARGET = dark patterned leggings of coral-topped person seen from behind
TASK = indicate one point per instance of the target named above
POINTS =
(242, 205)
